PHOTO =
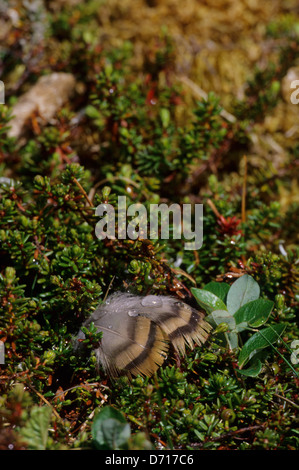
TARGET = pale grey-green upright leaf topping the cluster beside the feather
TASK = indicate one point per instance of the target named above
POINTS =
(243, 290)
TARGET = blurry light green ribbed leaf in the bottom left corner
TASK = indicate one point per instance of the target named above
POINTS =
(35, 431)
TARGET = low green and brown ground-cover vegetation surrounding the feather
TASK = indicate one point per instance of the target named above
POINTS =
(160, 115)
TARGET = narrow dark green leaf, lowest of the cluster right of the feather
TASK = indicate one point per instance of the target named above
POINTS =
(261, 339)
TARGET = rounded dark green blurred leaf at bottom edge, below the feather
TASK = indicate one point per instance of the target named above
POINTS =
(110, 430)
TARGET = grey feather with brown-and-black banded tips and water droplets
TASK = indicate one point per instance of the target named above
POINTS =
(137, 331)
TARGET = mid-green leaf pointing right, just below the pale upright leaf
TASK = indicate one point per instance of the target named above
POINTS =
(254, 313)
